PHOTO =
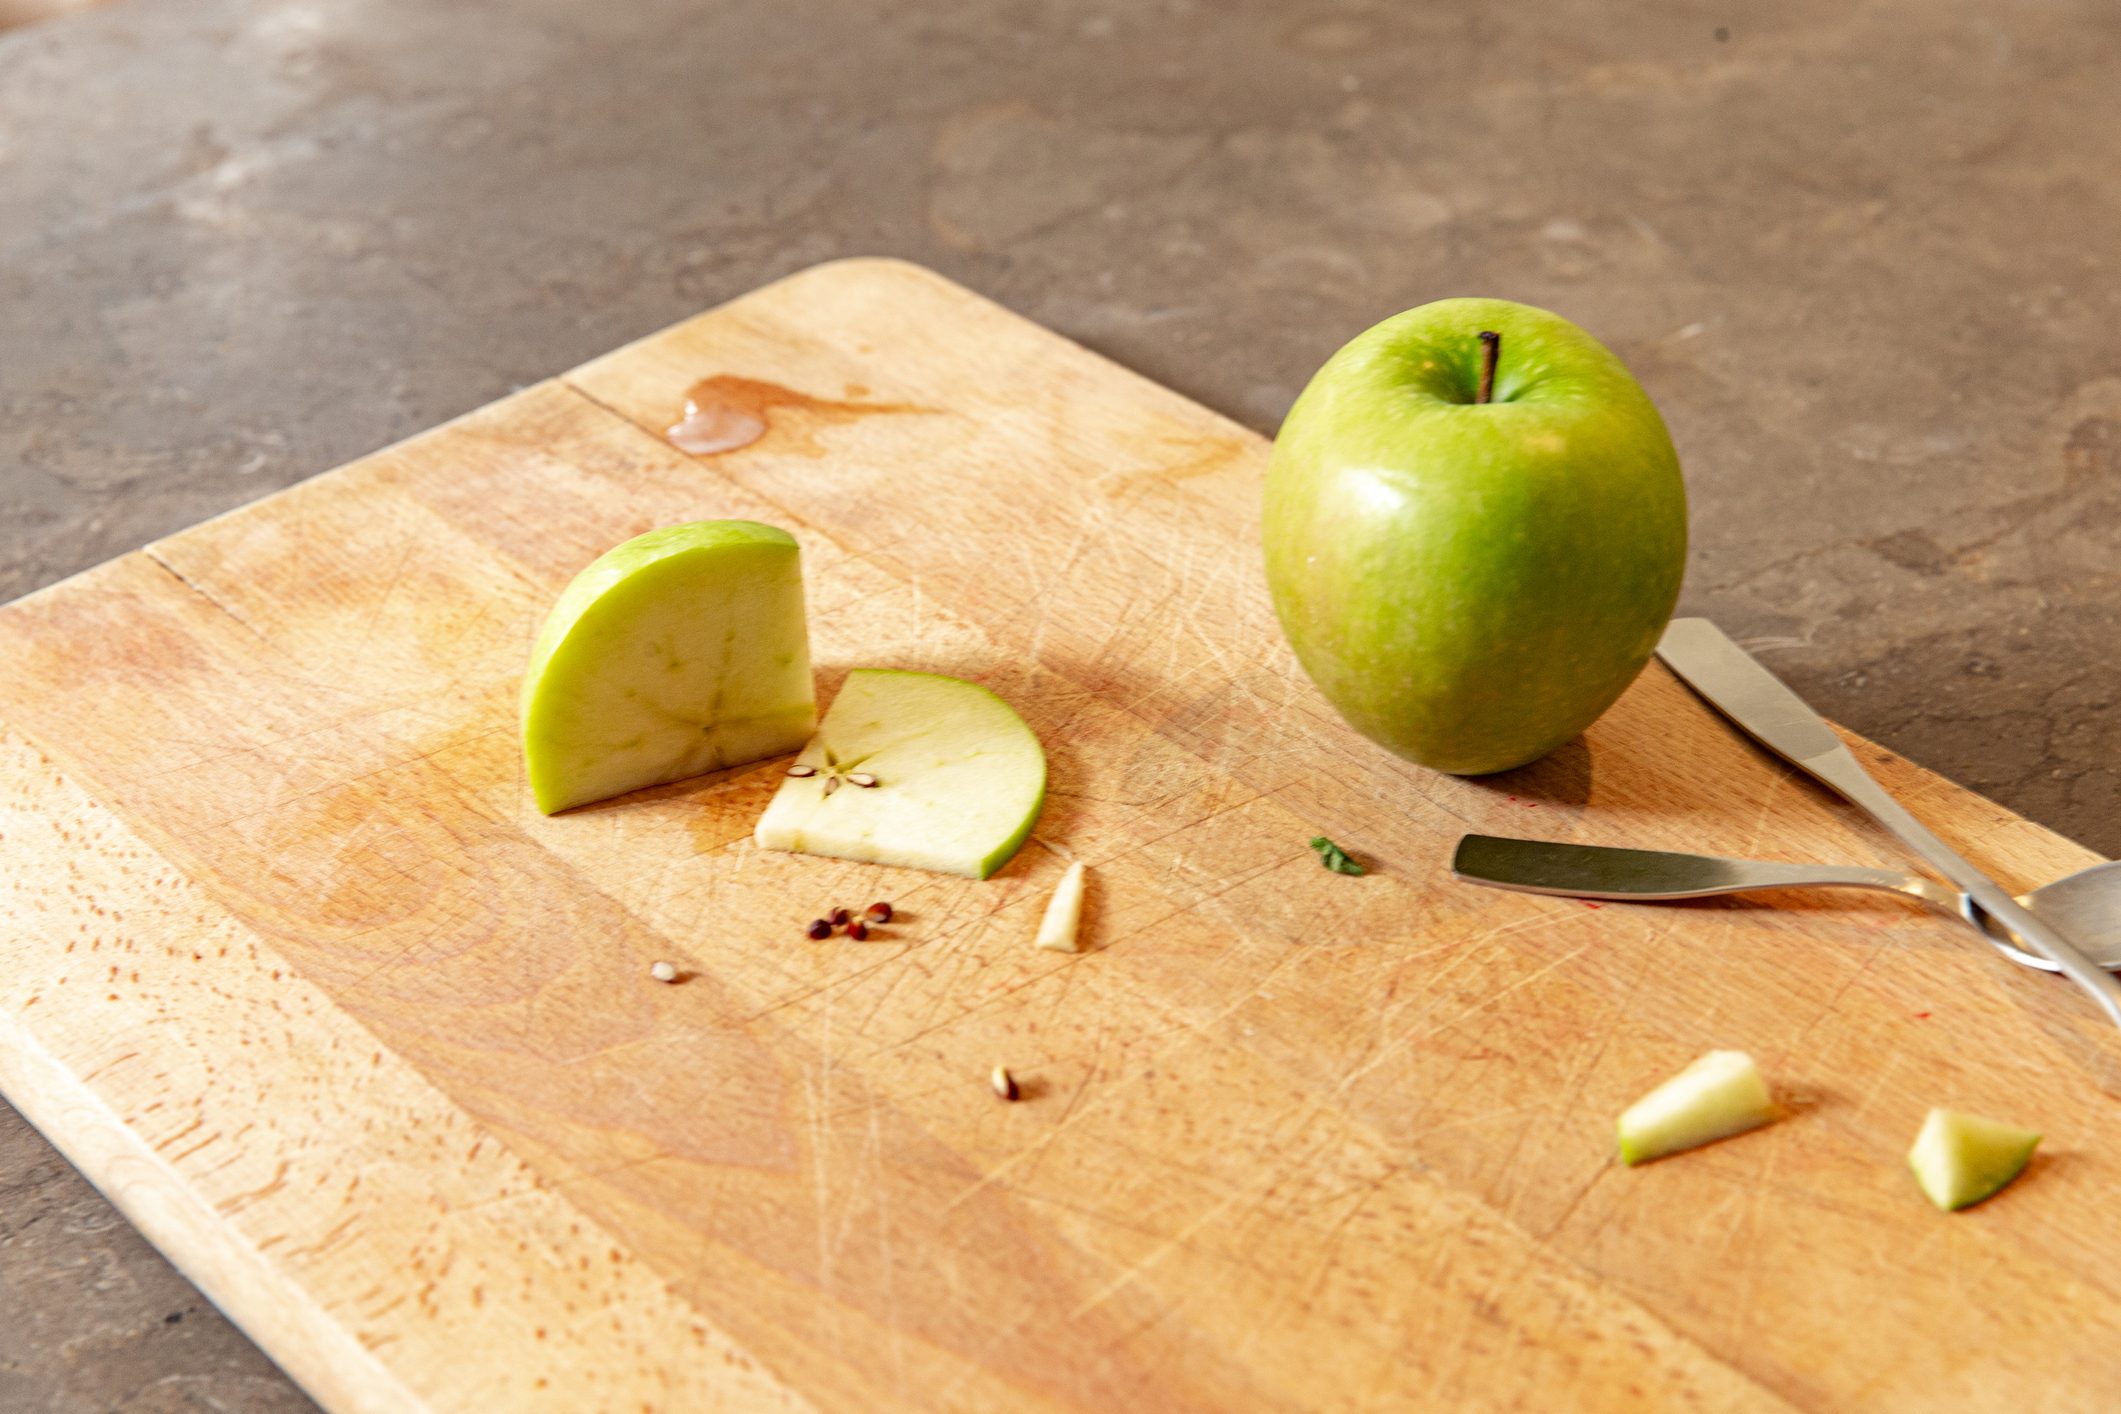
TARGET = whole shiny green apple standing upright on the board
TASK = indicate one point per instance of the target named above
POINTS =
(1473, 584)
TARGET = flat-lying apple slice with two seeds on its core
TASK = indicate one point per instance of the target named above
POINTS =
(913, 768)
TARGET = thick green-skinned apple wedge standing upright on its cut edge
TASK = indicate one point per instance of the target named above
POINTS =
(676, 654)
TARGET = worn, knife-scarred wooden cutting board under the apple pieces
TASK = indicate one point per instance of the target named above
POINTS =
(292, 968)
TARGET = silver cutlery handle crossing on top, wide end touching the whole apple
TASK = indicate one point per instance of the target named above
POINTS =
(1759, 703)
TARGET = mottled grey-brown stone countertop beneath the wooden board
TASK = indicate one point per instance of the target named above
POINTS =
(1865, 260)
